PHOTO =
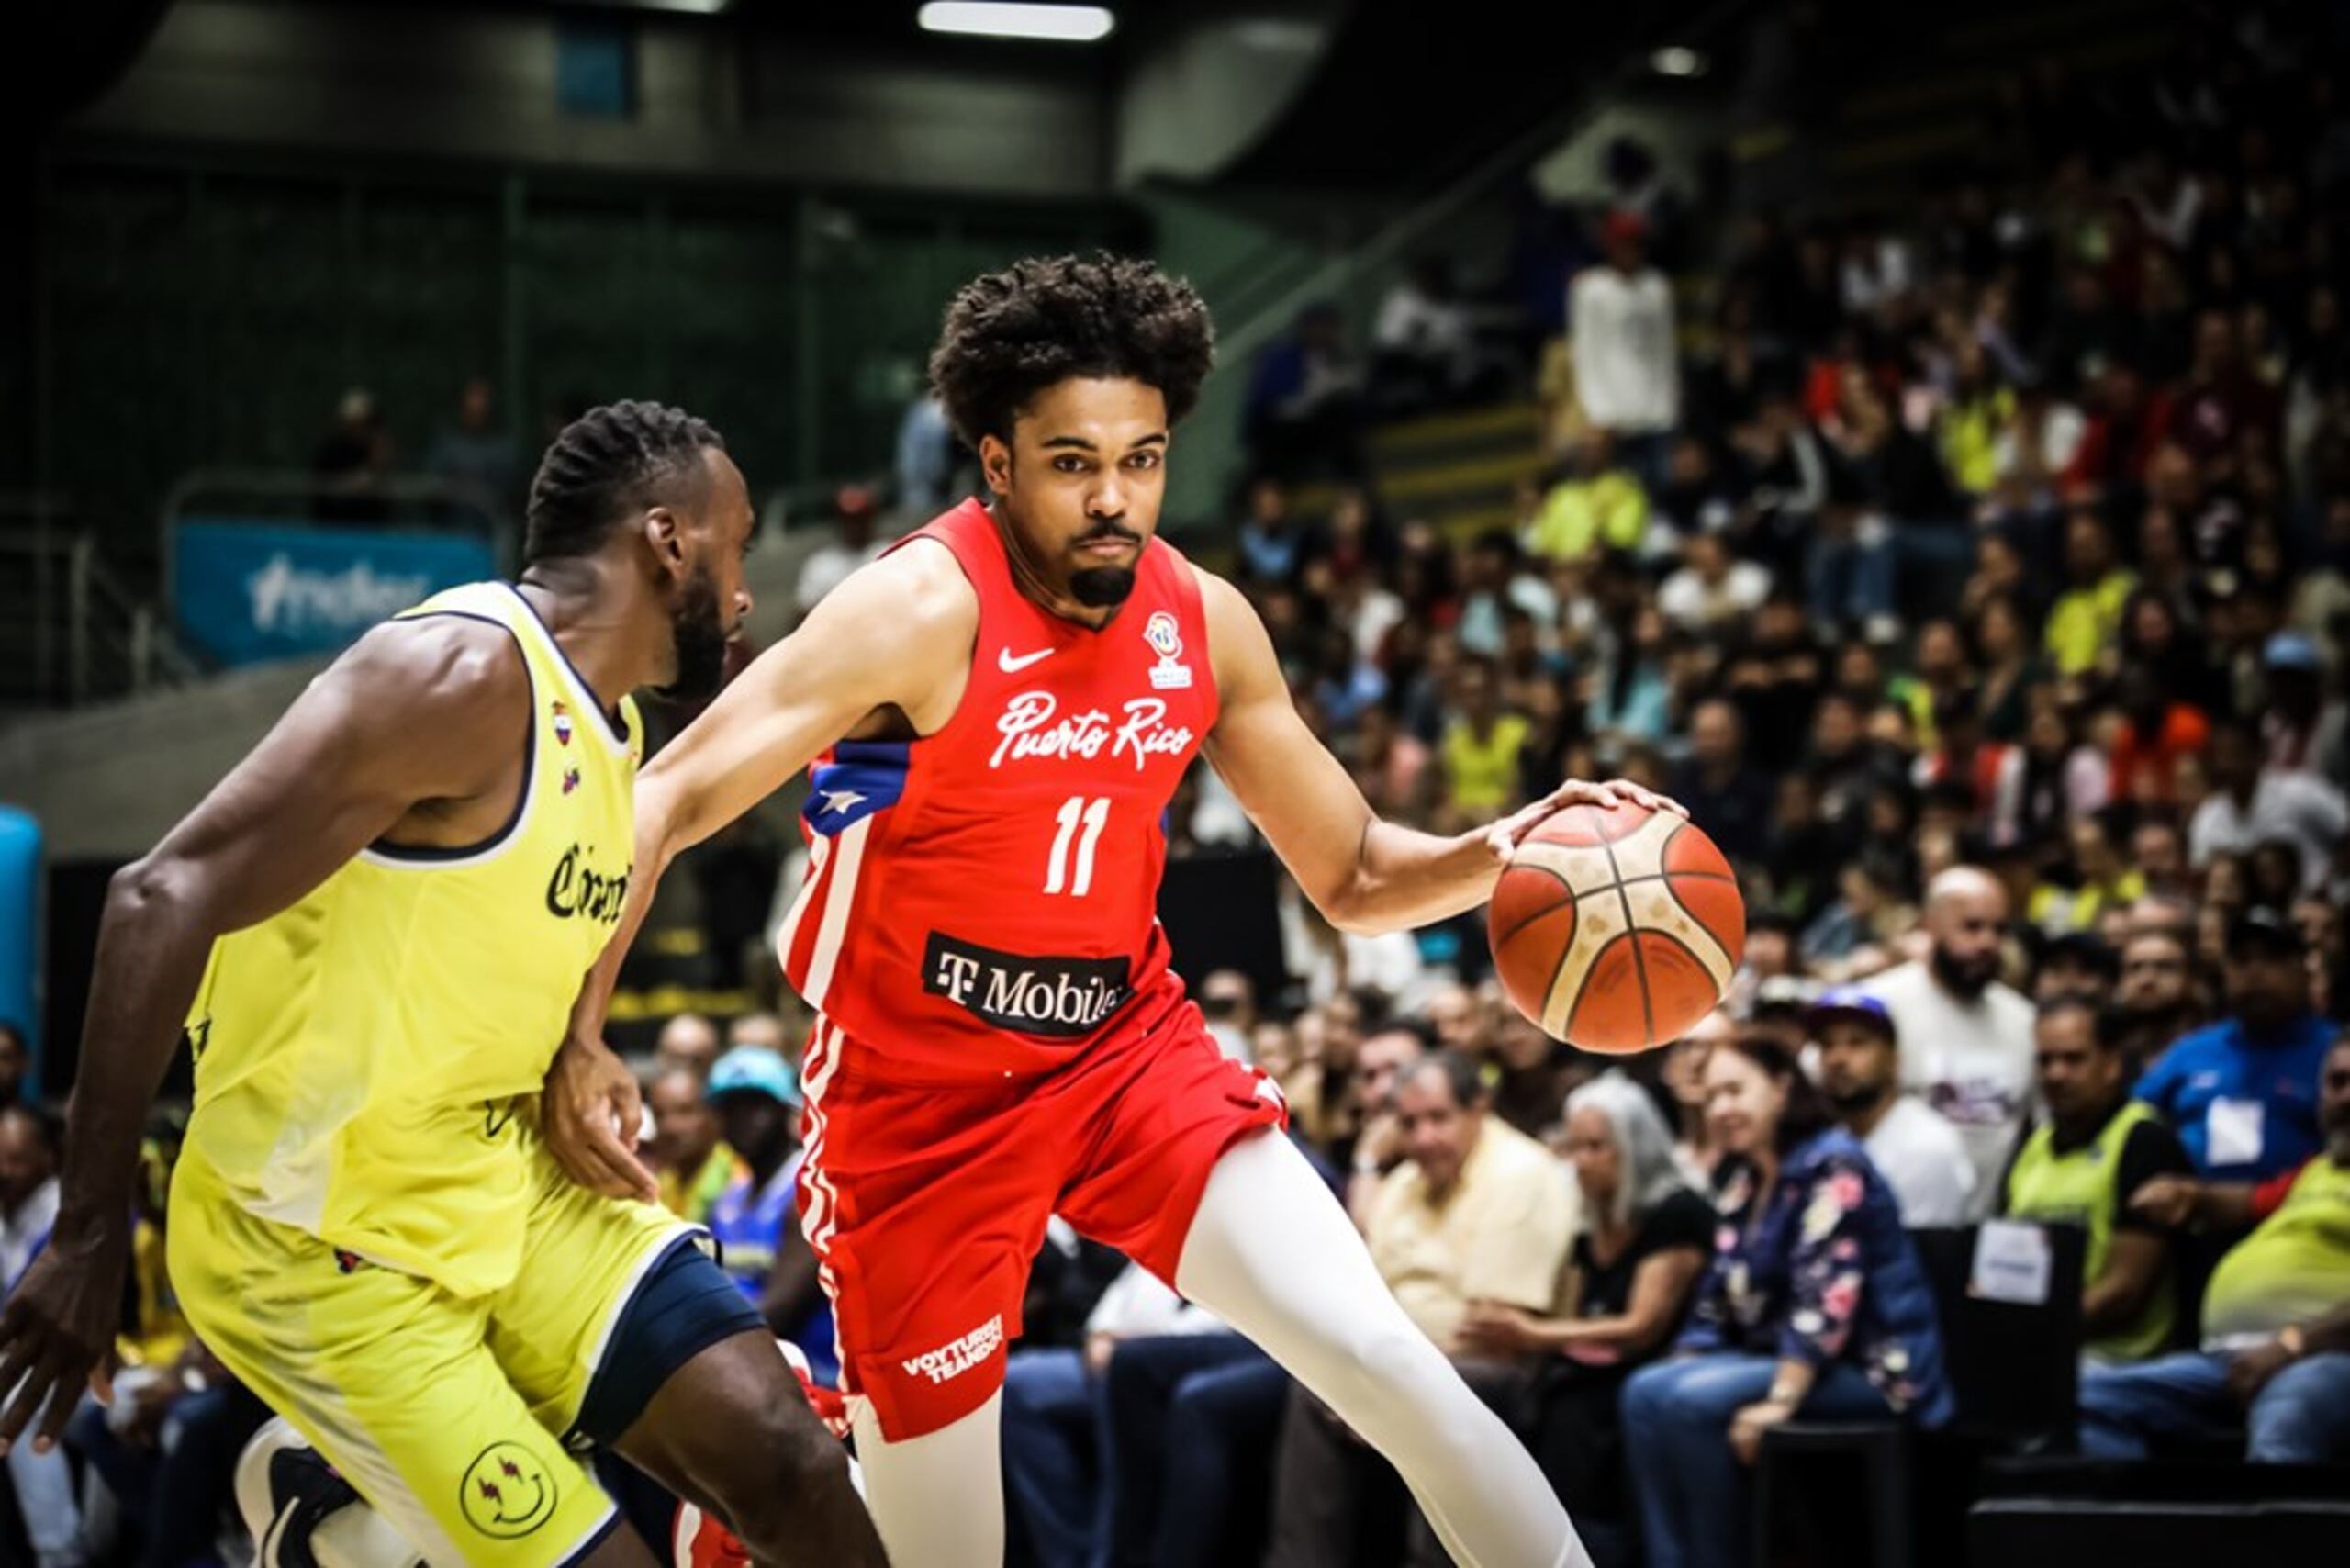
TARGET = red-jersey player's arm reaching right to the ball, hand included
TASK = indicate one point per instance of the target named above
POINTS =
(1362, 873)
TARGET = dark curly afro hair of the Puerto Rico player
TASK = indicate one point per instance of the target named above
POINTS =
(1042, 321)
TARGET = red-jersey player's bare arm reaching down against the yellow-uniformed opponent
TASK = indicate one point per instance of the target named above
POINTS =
(897, 636)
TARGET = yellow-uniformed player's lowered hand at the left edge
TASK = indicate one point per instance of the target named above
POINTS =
(58, 1334)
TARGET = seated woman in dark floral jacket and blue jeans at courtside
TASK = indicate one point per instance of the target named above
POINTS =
(1813, 1304)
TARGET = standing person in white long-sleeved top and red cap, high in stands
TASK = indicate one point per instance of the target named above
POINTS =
(1627, 363)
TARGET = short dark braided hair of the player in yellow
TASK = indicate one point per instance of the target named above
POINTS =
(607, 464)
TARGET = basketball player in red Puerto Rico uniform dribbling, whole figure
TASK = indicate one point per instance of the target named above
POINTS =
(998, 713)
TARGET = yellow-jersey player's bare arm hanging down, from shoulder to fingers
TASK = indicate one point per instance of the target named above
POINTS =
(419, 711)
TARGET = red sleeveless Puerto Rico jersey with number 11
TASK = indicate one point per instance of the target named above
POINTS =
(983, 902)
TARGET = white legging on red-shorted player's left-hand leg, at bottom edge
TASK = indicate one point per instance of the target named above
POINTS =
(936, 1499)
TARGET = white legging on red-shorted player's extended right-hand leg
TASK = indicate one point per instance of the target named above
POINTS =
(1275, 1257)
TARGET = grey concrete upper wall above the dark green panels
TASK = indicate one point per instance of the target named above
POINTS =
(711, 100)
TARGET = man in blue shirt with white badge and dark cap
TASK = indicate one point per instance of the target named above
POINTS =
(2243, 1092)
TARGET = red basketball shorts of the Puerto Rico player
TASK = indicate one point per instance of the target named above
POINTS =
(927, 1202)
